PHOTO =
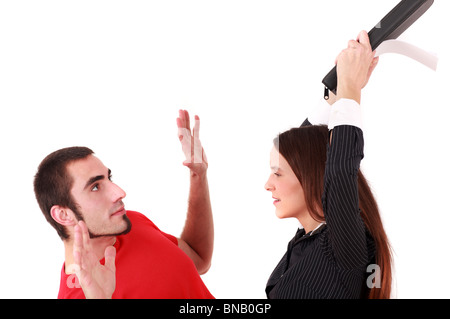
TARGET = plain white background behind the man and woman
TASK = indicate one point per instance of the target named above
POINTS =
(111, 75)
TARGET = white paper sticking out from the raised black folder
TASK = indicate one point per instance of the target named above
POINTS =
(400, 47)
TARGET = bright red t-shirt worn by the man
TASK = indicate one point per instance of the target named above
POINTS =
(149, 264)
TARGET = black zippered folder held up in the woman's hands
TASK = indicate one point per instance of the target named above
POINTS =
(390, 27)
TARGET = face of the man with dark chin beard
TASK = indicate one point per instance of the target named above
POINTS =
(98, 198)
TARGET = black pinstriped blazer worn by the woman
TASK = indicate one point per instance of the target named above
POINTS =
(332, 261)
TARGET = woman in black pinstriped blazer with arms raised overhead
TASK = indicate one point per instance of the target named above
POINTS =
(316, 179)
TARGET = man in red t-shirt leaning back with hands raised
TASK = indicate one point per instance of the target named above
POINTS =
(77, 196)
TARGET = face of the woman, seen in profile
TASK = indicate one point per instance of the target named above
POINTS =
(287, 192)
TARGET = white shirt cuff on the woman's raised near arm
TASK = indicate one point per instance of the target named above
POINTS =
(345, 112)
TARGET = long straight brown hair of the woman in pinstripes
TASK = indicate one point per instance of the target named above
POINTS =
(305, 149)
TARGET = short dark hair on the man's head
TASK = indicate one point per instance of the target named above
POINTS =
(52, 183)
